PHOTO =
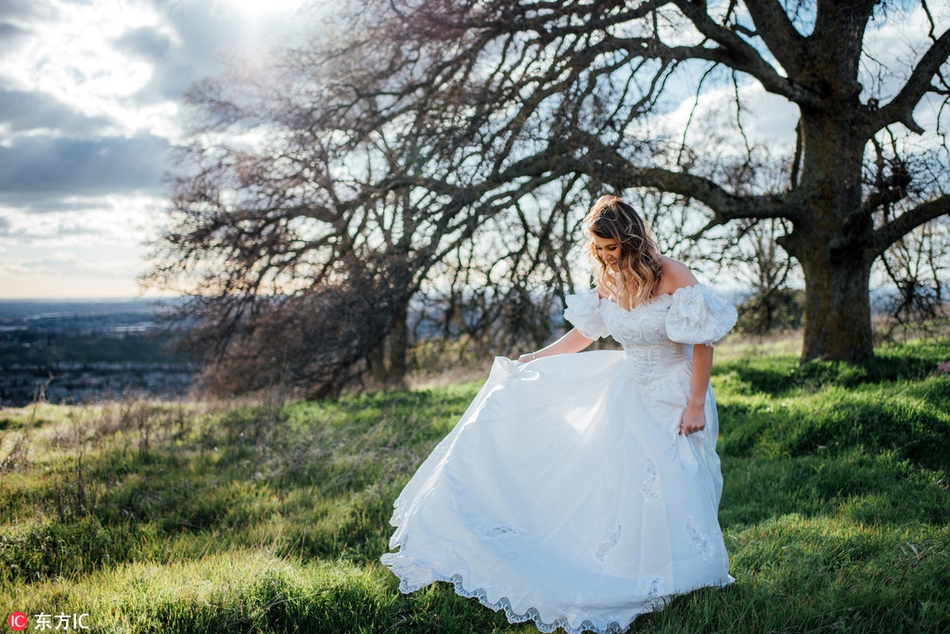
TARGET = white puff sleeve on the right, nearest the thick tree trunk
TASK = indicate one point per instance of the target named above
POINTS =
(698, 315)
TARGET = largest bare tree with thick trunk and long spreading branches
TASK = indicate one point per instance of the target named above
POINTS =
(419, 132)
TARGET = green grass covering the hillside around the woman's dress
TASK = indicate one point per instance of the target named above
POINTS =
(271, 518)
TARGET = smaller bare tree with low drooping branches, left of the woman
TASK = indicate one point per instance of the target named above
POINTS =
(302, 225)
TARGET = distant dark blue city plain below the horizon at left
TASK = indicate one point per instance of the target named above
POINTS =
(84, 351)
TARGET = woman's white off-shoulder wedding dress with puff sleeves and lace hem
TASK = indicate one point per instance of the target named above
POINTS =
(565, 495)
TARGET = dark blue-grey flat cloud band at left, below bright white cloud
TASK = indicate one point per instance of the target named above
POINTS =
(43, 164)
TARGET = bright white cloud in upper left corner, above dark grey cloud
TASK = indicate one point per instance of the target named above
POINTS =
(90, 58)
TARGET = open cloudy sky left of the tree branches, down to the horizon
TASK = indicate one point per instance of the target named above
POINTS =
(90, 105)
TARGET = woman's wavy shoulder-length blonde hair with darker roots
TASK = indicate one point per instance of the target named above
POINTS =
(639, 260)
